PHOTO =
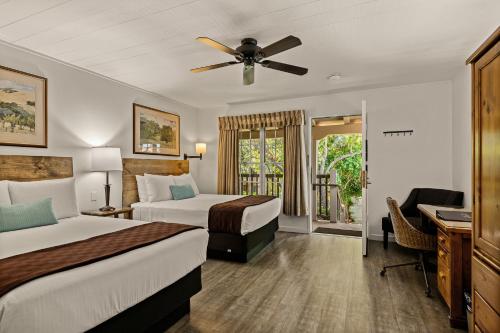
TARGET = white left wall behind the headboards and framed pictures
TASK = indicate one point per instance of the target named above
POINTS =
(86, 110)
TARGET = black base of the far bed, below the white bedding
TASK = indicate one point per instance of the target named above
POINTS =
(238, 247)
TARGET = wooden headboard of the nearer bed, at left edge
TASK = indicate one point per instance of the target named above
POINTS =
(29, 168)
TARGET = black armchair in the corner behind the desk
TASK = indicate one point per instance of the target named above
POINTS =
(429, 196)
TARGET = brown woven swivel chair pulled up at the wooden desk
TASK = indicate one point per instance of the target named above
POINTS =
(409, 236)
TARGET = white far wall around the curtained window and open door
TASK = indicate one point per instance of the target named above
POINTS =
(396, 164)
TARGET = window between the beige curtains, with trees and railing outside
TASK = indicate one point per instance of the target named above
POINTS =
(261, 161)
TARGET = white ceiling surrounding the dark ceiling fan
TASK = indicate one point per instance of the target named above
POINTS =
(151, 43)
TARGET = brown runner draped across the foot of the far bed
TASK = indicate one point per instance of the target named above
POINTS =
(226, 217)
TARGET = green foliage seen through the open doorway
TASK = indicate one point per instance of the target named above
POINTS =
(342, 152)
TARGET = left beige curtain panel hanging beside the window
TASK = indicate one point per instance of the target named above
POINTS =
(228, 170)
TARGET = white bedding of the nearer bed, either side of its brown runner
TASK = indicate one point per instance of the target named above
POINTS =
(79, 299)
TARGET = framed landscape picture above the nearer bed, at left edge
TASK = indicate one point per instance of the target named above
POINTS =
(23, 109)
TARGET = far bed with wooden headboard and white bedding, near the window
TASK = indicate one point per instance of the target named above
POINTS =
(146, 186)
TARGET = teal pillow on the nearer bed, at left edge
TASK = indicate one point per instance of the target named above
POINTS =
(27, 215)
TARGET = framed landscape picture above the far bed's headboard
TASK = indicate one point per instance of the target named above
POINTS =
(156, 132)
